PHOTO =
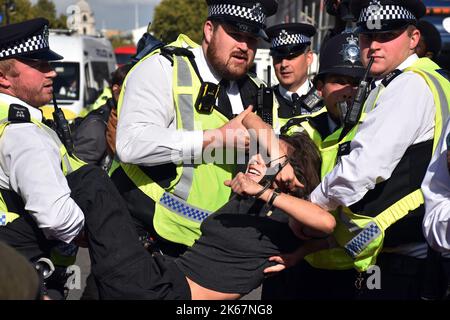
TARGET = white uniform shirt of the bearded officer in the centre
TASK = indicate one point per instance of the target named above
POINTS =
(146, 132)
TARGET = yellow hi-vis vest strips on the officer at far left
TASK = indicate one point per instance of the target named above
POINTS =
(69, 163)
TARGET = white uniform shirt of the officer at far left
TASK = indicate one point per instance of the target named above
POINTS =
(30, 165)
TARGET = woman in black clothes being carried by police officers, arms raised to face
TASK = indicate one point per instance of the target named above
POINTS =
(229, 259)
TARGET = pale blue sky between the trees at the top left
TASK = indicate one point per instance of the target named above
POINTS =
(115, 14)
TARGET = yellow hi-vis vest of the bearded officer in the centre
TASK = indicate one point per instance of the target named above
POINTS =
(198, 189)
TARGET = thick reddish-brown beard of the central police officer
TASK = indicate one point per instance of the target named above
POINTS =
(227, 69)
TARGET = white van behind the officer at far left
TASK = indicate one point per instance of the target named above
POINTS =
(83, 73)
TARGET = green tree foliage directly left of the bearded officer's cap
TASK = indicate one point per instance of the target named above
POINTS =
(173, 17)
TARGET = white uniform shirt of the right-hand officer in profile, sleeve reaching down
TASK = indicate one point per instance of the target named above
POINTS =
(404, 115)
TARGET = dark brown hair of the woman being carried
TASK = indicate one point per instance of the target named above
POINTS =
(305, 159)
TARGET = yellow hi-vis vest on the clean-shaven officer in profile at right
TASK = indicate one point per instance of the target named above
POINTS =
(359, 237)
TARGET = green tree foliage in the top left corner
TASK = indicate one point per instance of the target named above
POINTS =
(24, 10)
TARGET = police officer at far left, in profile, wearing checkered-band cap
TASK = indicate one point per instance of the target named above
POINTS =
(39, 216)
